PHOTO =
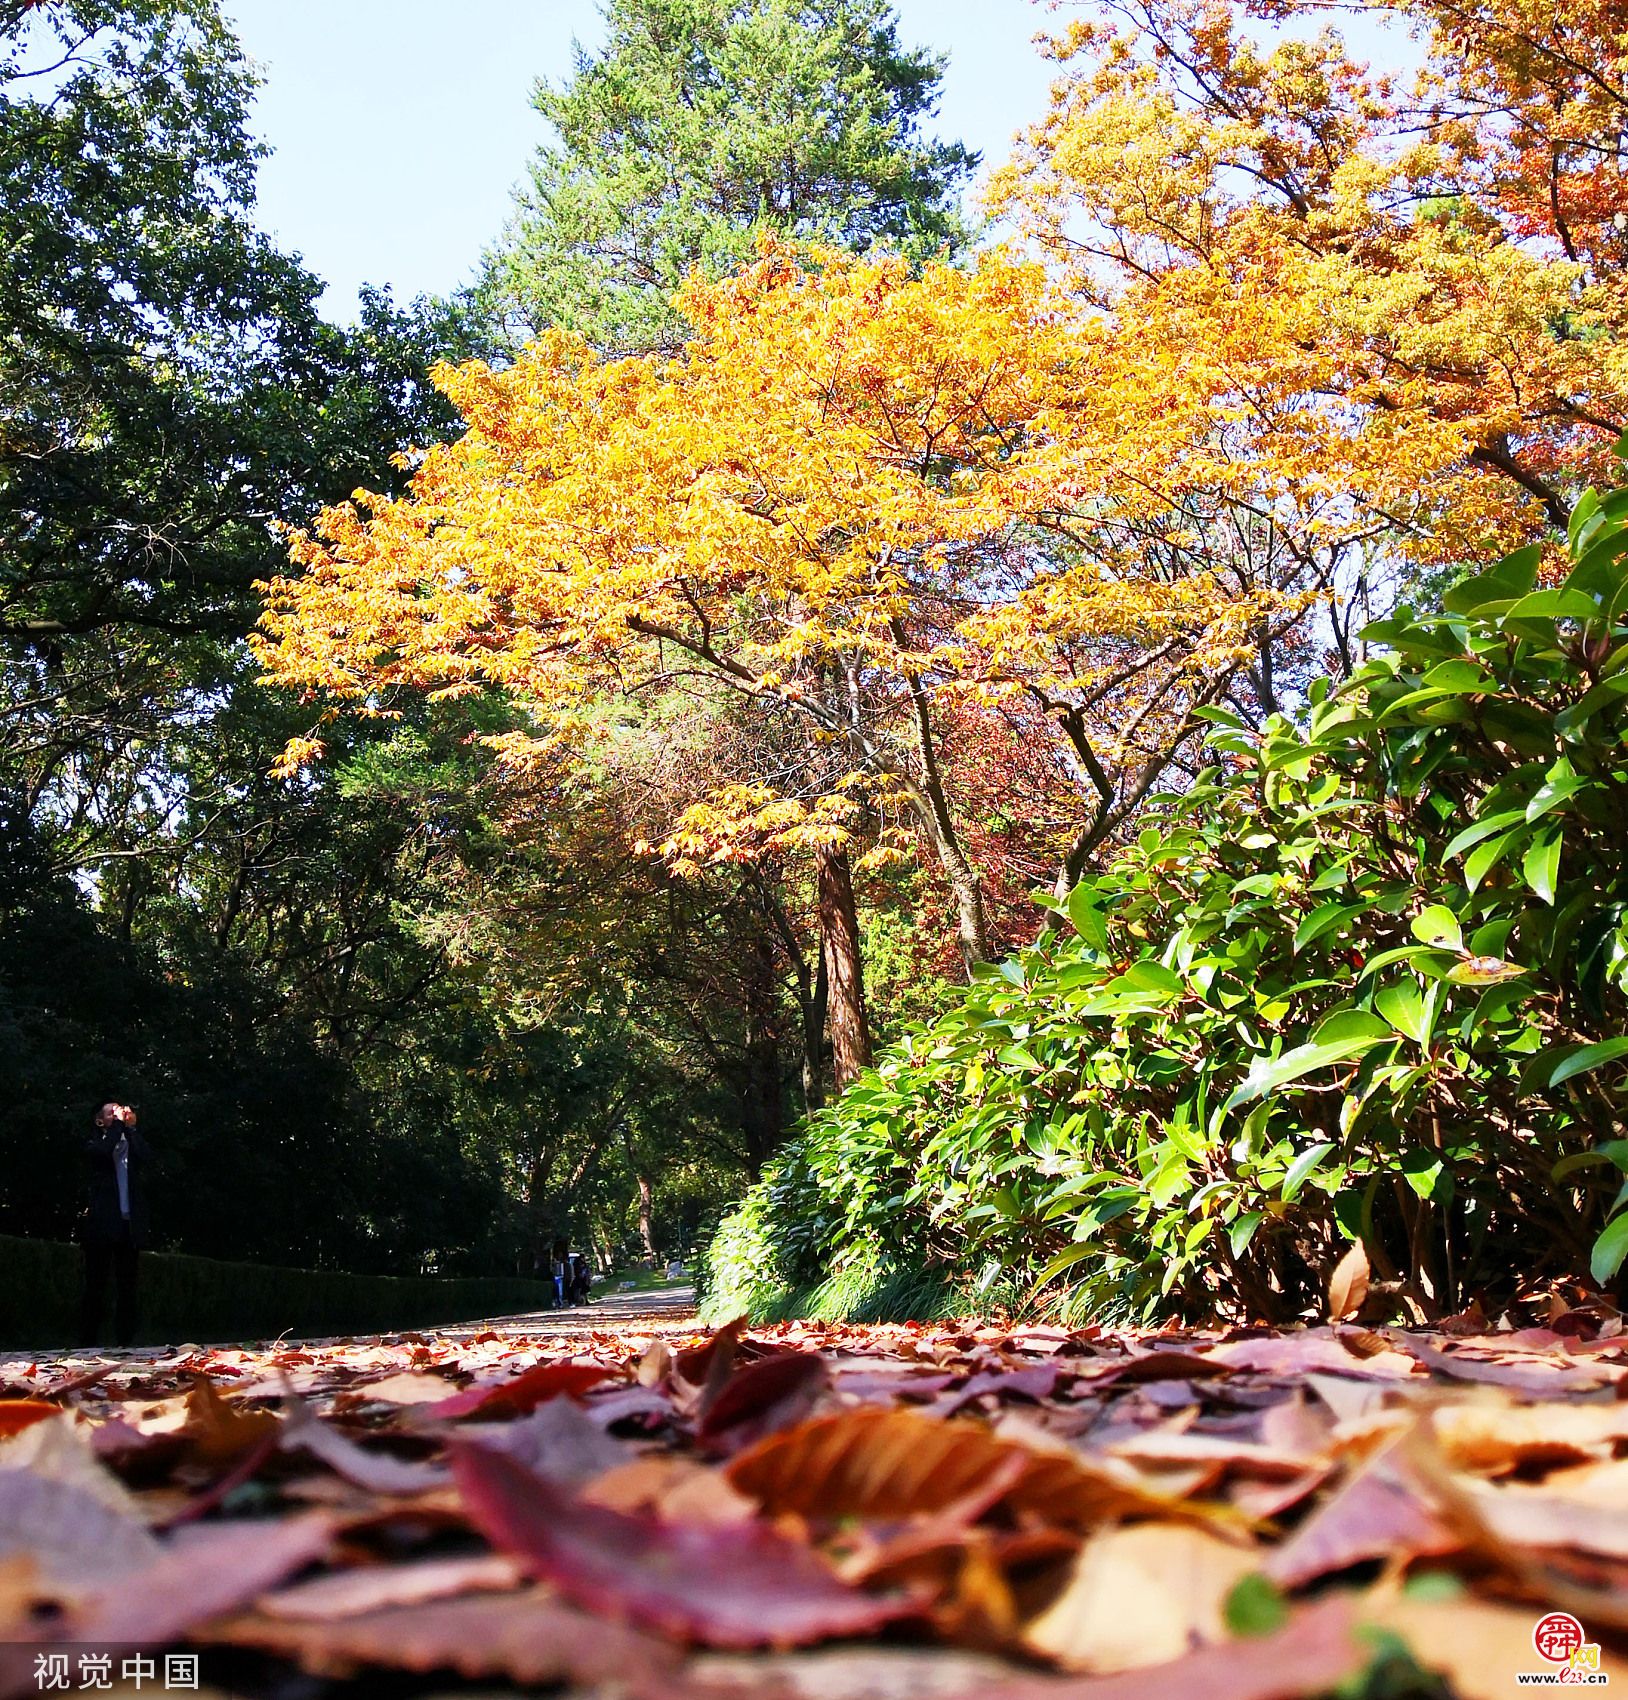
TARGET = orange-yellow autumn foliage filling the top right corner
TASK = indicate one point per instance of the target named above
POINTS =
(1433, 273)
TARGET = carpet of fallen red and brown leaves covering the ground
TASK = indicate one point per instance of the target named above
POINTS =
(830, 1512)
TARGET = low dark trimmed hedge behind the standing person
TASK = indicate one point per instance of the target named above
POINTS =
(203, 1300)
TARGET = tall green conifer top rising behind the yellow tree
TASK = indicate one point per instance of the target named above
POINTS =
(701, 127)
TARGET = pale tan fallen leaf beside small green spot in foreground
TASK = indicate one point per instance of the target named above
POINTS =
(1141, 1595)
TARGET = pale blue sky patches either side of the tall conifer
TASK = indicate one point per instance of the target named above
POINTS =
(400, 127)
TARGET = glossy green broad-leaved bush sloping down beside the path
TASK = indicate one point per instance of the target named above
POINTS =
(1365, 980)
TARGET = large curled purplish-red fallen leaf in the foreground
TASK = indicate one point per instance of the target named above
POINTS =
(737, 1585)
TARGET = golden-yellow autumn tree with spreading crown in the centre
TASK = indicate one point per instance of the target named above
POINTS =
(856, 494)
